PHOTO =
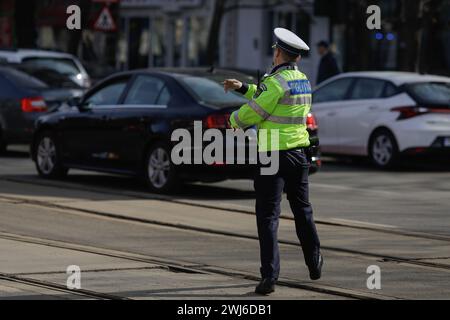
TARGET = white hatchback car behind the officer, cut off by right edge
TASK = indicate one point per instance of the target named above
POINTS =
(383, 115)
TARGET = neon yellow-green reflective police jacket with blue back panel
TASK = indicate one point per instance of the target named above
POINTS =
(280, 105)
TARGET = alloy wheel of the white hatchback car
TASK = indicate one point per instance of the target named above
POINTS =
(383, 149)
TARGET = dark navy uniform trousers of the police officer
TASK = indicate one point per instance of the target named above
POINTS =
(292, 177)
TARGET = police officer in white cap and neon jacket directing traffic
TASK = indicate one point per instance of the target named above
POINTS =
(280, 106)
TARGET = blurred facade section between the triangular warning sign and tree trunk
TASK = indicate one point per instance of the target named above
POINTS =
(163, 33)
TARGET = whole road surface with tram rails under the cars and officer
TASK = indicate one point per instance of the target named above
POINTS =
(397, 220)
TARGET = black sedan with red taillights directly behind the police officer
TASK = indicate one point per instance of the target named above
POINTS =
(125, 123)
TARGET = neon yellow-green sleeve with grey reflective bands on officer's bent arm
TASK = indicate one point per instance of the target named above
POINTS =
(258, 109)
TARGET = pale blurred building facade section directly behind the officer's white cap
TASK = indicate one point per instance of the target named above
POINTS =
(246, 37)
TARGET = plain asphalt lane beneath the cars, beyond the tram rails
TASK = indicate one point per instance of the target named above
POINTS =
(414, 198)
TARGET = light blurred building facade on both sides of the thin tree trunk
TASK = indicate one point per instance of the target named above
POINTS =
(176, 33)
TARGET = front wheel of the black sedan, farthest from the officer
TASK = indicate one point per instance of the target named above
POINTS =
(48, 160)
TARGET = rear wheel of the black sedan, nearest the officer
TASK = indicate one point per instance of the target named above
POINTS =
(160, 171)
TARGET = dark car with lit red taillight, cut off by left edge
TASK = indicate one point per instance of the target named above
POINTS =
(23, 99)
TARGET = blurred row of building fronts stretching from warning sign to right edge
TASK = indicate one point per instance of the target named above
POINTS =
(416, 33)
